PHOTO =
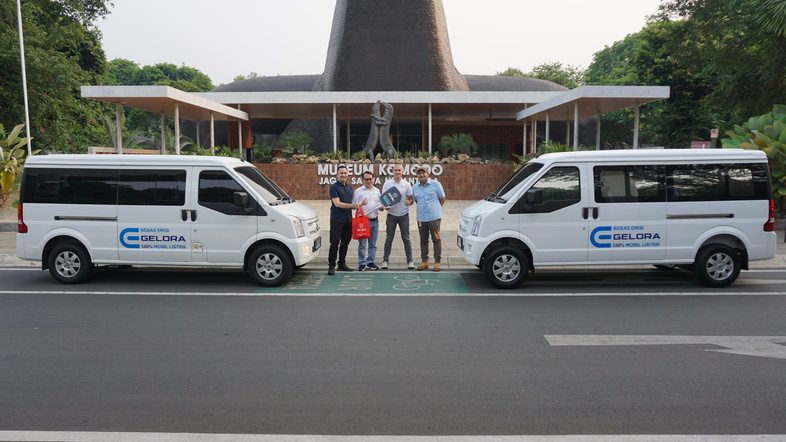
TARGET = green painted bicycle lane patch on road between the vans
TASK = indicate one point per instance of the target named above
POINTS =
(372, 282)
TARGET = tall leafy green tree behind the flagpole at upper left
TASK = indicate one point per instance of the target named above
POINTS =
(63, 52)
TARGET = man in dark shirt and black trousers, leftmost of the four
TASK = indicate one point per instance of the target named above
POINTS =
(341, 220)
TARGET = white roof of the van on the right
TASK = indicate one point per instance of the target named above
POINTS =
(655, 155)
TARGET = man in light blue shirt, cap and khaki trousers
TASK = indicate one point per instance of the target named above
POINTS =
(430, 197)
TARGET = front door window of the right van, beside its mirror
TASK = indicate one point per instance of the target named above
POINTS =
(560, 188)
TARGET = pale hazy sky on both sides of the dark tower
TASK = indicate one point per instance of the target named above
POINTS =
(227, 38)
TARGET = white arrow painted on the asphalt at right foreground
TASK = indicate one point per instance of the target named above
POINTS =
(762, 346)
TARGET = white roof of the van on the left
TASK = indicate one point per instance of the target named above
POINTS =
(86, 160)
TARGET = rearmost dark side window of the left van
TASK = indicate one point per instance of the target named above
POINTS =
(70, 186)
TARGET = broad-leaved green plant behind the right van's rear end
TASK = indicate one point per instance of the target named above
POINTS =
(766, 133)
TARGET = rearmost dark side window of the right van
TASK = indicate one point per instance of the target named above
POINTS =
(717, 182)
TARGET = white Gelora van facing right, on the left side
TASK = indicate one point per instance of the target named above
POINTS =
(77, 211)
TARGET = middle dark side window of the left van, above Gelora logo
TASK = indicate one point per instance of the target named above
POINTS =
(159, 188)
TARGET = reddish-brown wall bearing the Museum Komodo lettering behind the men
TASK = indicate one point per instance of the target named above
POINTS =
(461, 181)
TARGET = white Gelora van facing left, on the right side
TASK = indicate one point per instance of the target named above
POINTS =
(707, 210)
